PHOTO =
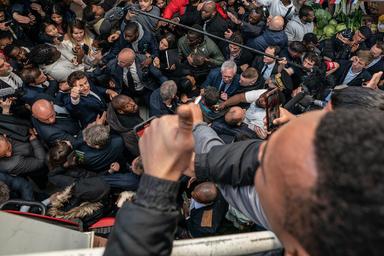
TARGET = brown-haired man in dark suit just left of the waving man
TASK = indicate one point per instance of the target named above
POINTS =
(36, 83)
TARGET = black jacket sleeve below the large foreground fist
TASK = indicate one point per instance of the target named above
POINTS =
(151, 219)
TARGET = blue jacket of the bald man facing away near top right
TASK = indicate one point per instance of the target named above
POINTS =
(269, 37)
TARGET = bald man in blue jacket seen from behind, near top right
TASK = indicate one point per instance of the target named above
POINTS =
(273, 35)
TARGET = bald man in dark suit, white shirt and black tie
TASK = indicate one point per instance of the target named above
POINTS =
(127, 74)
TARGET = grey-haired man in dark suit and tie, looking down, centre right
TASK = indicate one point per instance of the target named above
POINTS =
(224, 79)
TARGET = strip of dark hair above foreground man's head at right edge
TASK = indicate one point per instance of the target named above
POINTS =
(357, 97)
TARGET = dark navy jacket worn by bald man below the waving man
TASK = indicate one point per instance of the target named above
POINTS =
(65, 128)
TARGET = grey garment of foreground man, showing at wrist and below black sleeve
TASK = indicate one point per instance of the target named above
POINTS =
(244, 198)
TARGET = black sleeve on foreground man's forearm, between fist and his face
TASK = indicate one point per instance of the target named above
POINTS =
(234, 164)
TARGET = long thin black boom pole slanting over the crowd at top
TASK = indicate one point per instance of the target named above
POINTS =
(133, 9)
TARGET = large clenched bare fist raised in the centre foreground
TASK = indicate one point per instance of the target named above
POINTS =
(167, 145)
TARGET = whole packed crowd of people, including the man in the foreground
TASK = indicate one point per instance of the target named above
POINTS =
(76, 77)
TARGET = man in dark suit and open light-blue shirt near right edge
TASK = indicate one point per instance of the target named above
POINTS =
(353, 72)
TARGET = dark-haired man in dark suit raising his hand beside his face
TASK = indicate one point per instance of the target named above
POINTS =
(86, 101)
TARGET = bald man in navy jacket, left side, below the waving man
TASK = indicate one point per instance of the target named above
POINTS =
(53, 123)
